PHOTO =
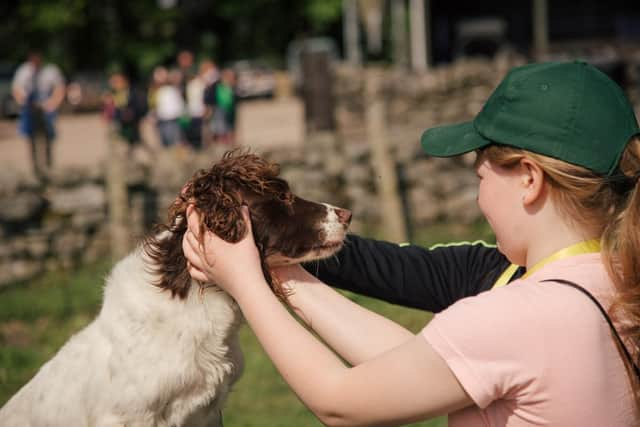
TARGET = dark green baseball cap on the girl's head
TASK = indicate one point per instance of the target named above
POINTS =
(566, 110)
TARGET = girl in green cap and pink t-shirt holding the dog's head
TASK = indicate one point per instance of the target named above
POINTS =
(558, 163)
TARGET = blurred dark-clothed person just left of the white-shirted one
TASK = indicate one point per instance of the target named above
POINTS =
(128, 107)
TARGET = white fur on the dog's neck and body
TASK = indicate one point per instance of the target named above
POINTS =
(146, 360)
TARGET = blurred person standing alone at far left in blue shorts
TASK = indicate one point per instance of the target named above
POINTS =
(39, 90)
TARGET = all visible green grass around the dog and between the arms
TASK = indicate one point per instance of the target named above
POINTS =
(36, 318)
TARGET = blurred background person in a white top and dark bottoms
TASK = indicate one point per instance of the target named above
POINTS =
(169, 108)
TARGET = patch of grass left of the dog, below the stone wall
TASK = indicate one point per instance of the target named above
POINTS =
(36, 318)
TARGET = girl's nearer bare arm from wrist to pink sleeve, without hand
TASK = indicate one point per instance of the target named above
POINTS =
(405, 384)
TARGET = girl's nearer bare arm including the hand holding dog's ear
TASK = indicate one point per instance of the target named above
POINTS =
(407, 383)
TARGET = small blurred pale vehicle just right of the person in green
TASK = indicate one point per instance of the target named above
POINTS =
(254, 79)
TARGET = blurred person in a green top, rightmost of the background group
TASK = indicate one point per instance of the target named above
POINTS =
(220, 98)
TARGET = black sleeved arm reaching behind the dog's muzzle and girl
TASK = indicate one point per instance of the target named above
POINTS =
(412, 276)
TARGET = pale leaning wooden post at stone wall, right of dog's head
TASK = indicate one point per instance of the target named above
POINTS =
(386, 179)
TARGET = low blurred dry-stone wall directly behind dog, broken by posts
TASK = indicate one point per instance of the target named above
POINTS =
(65, 223)
